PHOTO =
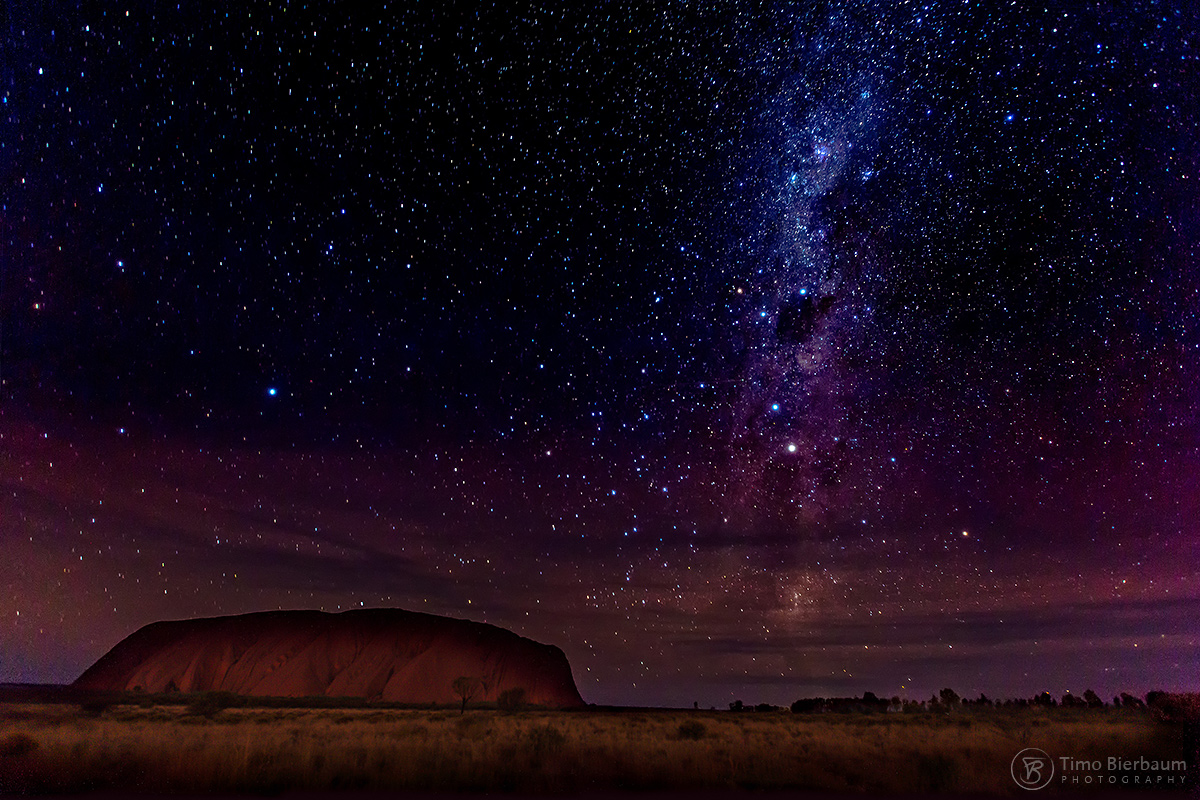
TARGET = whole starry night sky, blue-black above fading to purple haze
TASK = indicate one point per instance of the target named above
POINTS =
(746, 351)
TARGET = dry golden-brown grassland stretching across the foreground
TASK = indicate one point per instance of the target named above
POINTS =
(160, 749)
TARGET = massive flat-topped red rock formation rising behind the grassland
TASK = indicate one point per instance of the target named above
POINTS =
(376, 654)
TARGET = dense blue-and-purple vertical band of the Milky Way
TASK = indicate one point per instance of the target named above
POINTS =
(809, 281)
